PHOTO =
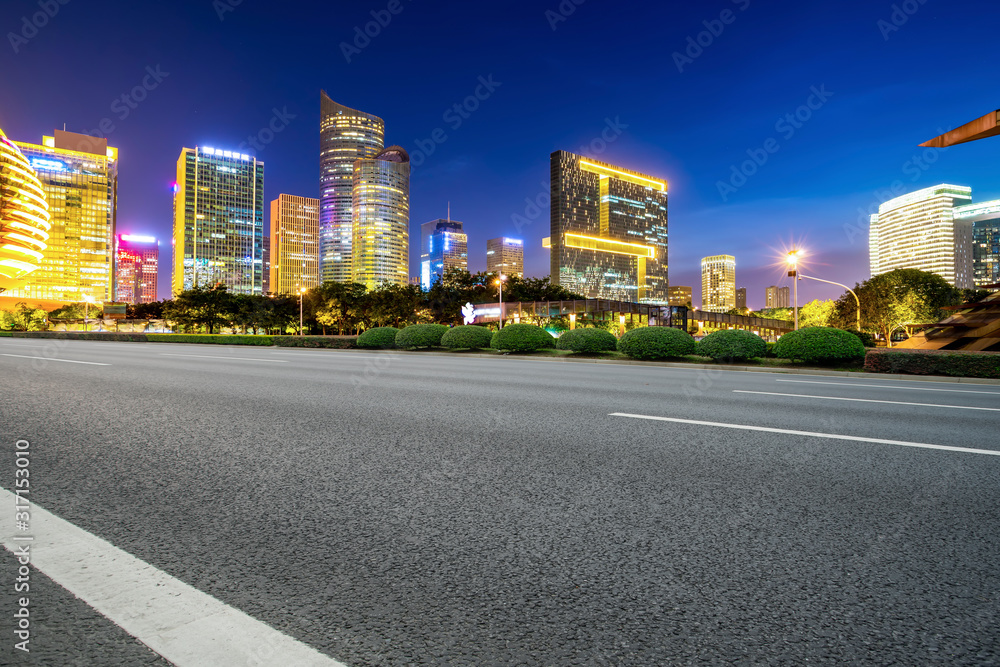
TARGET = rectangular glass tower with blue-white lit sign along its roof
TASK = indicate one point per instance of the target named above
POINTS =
(218, 221)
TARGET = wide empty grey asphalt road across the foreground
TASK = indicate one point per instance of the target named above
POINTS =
(404, 509)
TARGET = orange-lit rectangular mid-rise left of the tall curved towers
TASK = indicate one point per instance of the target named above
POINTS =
(294, 244)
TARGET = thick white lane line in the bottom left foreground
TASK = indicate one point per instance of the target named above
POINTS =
(187, 627)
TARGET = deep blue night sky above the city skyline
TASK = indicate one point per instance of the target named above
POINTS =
(228, 69)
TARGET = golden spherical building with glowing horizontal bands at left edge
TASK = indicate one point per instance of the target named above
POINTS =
(24, 217)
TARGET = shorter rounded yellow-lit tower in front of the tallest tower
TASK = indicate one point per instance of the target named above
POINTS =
(381, 247)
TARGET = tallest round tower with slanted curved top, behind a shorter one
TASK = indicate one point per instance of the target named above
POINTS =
(345, 135)
